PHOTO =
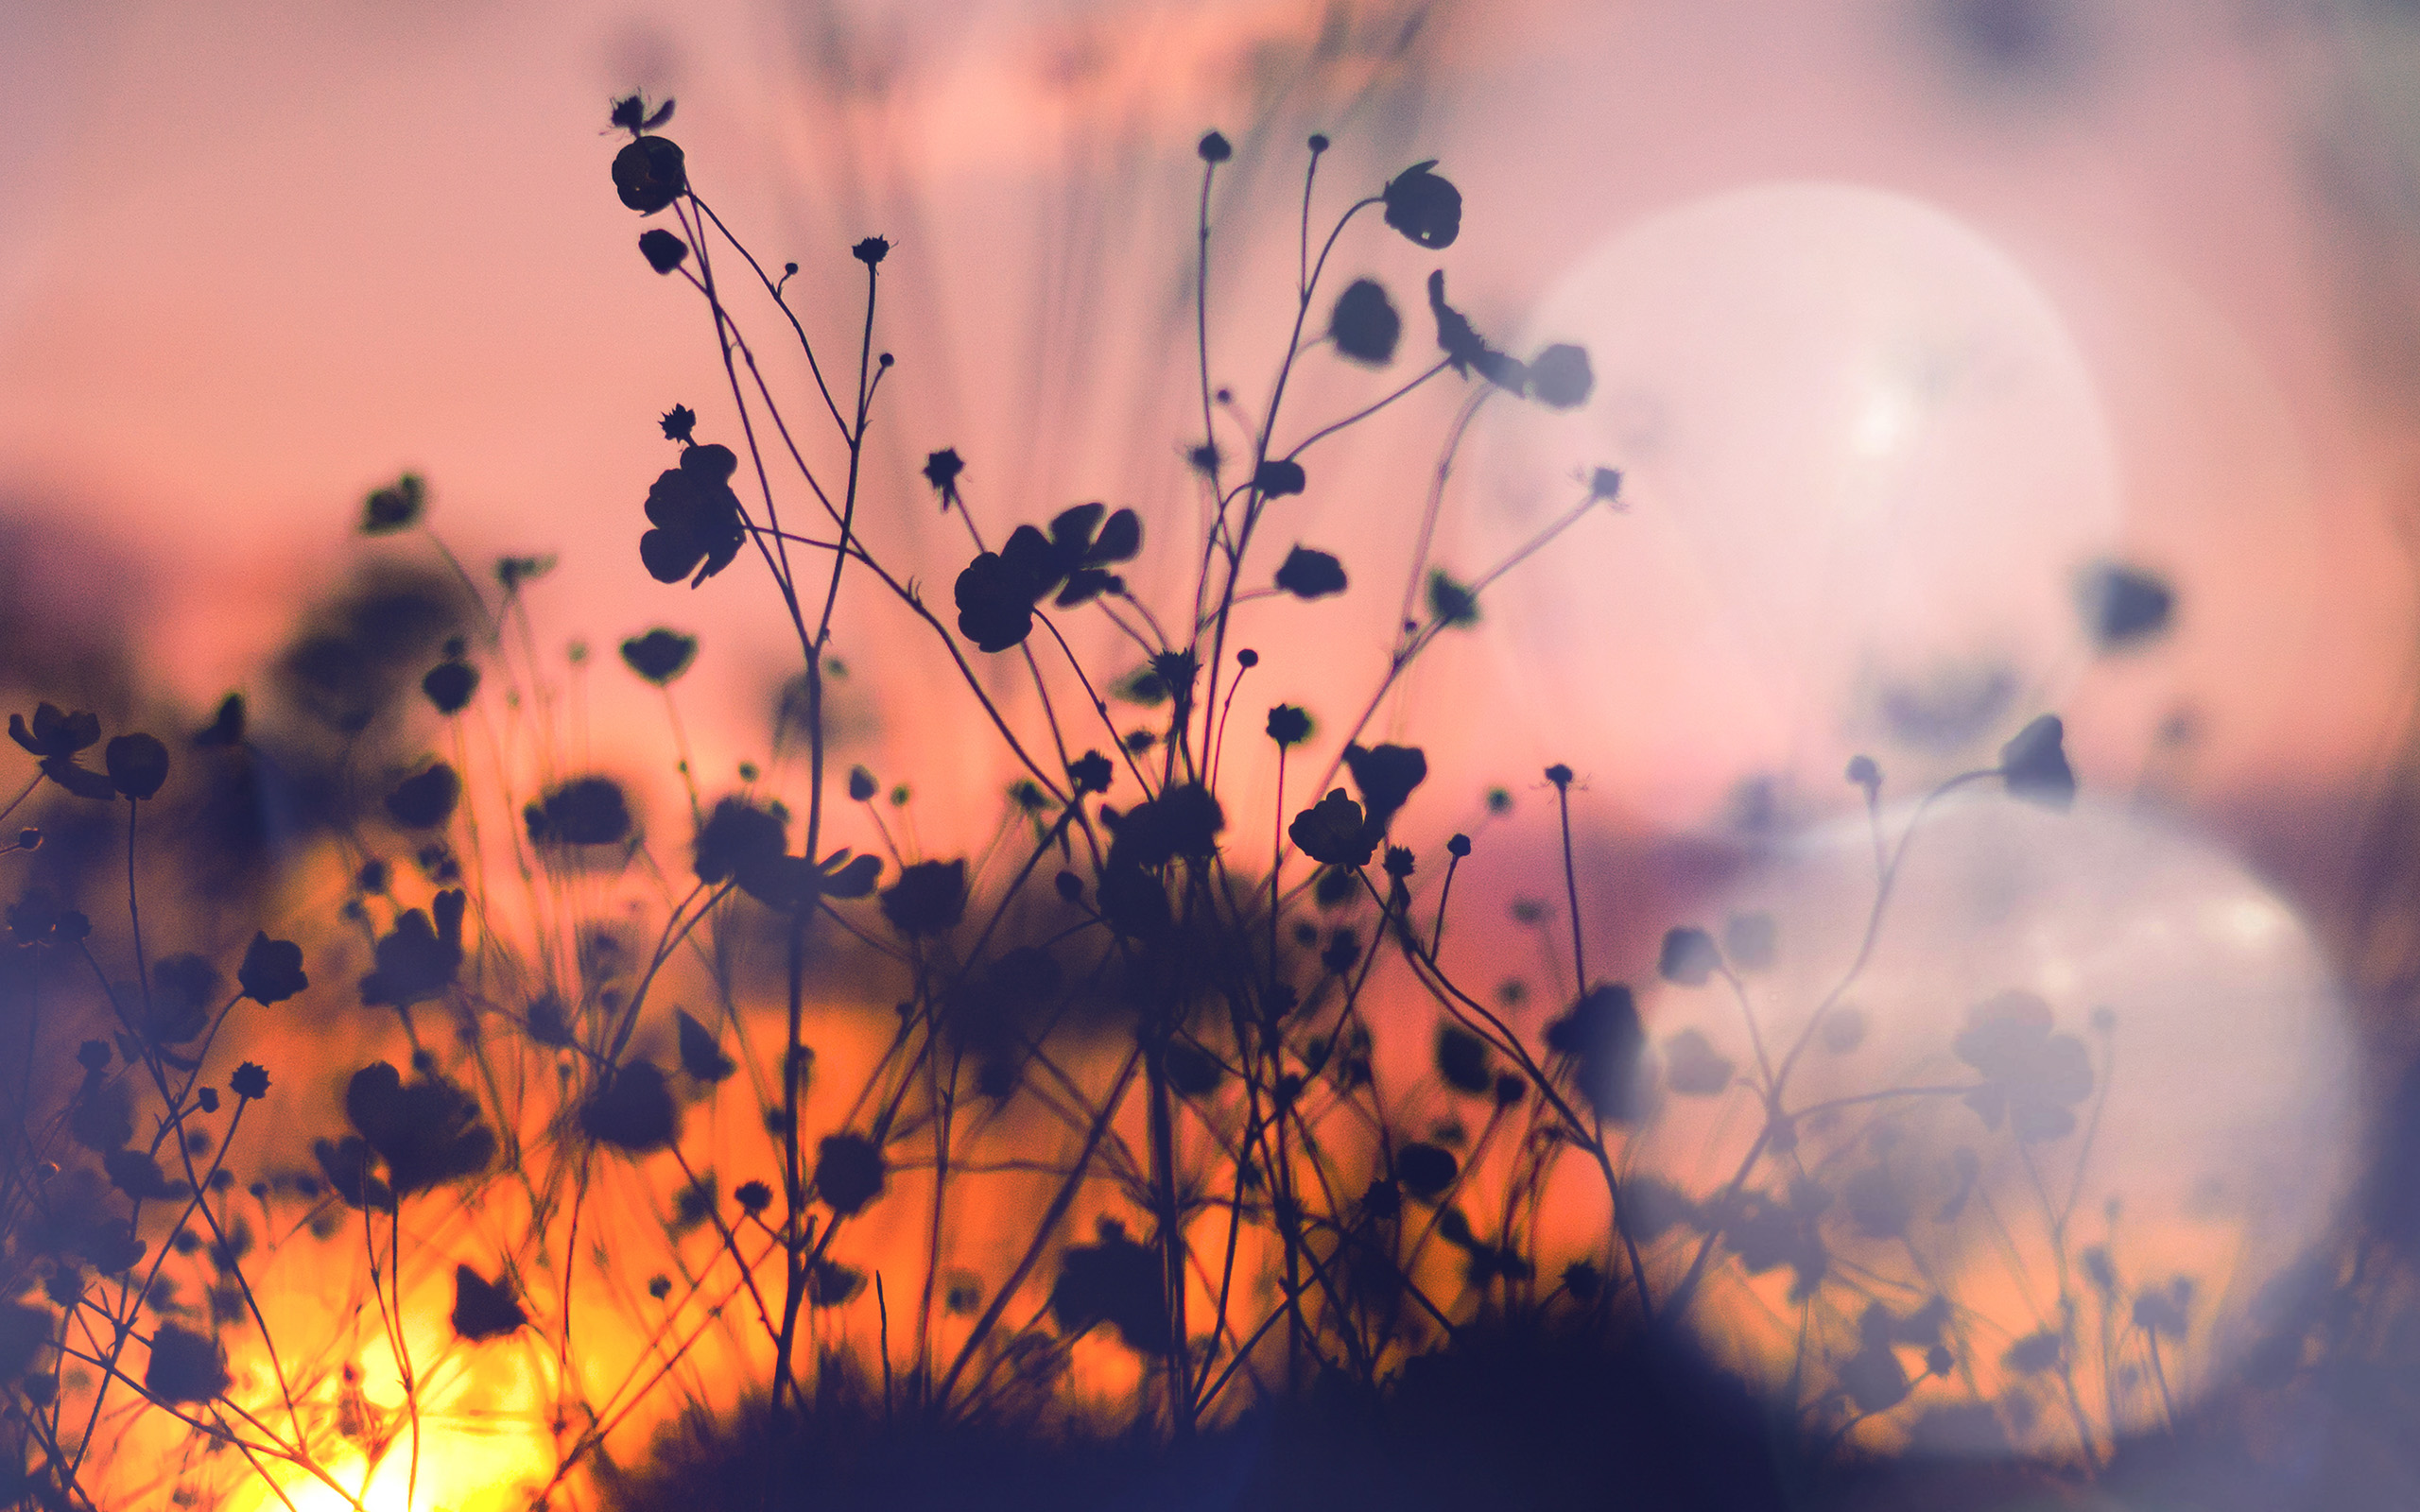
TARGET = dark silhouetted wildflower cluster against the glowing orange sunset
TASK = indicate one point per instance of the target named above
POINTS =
(1139, 1027)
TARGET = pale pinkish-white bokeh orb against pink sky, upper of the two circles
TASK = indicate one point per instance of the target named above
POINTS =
(1865, 463)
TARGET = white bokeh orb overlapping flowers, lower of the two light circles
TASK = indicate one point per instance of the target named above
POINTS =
(2085, 1102)
